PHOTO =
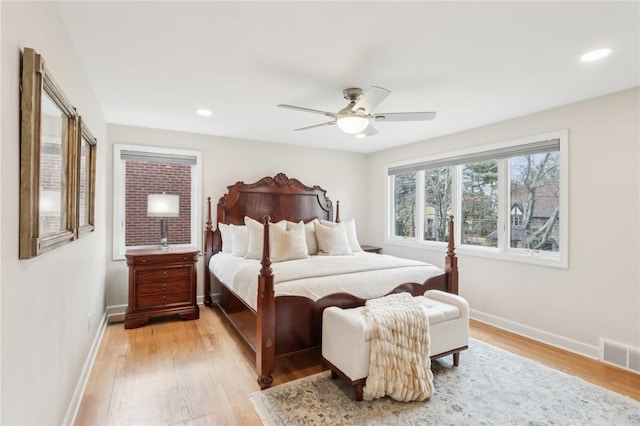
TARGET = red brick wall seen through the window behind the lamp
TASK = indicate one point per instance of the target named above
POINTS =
(146, 177)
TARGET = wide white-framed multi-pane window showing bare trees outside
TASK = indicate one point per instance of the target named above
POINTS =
(509, 200)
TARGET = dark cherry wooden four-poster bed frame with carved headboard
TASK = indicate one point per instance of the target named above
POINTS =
(287, 324)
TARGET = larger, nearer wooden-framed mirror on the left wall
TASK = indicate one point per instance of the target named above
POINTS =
(49, 131)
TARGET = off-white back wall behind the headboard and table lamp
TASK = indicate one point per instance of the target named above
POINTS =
(228, 160)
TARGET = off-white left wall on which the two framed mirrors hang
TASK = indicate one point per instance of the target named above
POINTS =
(46, 301)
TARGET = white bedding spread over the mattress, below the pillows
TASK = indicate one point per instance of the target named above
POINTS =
(365, 275)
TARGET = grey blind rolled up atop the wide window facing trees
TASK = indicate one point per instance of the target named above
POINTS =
(476, 157)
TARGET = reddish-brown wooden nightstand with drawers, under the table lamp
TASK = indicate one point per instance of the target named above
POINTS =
(162, 282)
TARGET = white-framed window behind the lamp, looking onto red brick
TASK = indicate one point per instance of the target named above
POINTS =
(140, 171)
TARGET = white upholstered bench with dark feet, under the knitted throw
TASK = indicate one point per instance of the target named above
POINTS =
(346, 336)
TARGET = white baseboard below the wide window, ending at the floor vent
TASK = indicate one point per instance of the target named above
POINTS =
(551, 339)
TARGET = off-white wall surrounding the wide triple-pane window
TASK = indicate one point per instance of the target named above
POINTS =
(599, 294)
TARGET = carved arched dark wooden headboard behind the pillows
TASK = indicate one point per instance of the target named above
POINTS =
(278, 197)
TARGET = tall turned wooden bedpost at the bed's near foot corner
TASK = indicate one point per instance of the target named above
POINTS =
(265, 316)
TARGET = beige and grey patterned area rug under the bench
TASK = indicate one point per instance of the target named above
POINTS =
(491, 386)
